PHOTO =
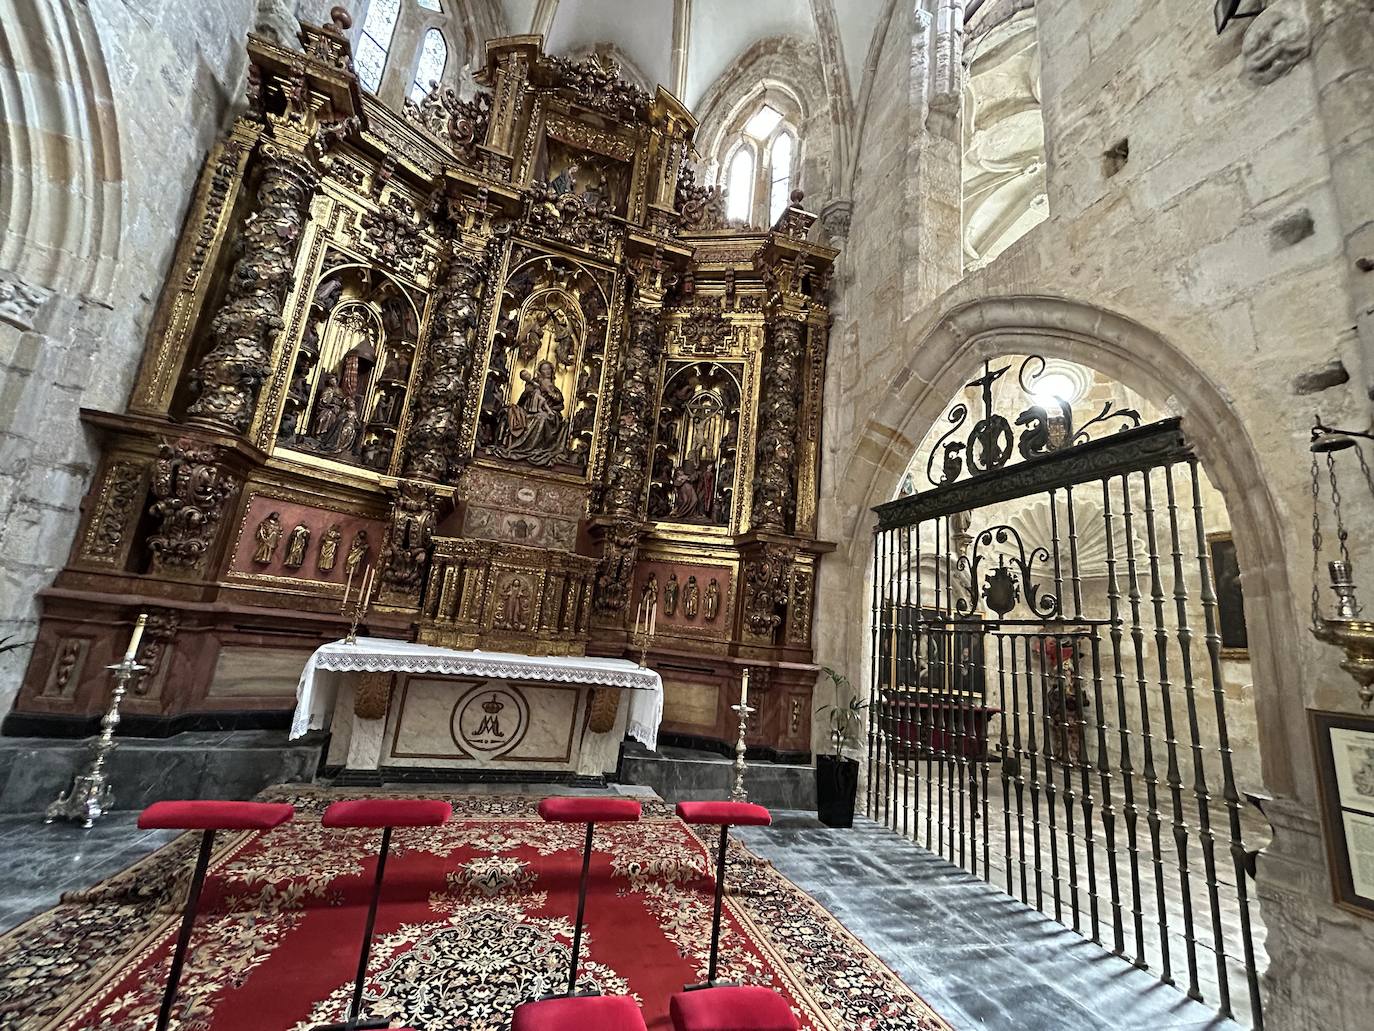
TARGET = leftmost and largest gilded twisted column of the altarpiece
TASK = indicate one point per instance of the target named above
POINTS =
(230, 376)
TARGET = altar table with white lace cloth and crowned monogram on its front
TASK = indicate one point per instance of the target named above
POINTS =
(403, 710)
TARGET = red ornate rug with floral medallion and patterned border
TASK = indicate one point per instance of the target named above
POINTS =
(476, 918)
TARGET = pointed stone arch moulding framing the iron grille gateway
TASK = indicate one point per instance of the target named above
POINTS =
(1145, 362)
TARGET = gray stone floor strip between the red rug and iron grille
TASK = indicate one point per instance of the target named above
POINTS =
(982, 959)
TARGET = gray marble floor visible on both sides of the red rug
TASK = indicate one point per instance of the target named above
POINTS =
(979, 957)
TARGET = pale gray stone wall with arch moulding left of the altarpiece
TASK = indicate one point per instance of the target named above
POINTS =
(111, 111)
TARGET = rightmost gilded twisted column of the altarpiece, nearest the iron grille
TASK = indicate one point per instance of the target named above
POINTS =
(776, 458)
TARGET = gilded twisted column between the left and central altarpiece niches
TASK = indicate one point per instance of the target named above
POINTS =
(435, 441)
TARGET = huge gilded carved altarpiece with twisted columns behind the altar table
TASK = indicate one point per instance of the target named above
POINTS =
(505, 351)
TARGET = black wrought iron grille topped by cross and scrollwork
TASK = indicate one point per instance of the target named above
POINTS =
(1045, 714)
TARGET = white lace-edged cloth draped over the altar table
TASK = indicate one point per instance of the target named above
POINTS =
(317, 691)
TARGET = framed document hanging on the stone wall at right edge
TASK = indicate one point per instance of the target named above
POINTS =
(1344, 749)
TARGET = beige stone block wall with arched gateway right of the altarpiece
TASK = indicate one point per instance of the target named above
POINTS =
(1203, 188)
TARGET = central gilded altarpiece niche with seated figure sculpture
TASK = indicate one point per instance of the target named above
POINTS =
(543, 377)
